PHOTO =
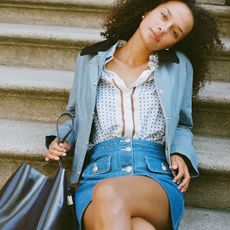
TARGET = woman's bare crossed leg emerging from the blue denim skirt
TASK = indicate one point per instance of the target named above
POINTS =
(117, 201)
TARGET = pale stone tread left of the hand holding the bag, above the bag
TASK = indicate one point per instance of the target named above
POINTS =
(23, 139)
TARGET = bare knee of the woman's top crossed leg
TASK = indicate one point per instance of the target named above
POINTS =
(106, 197)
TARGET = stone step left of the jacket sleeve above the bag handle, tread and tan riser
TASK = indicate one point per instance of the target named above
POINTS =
(33, 94)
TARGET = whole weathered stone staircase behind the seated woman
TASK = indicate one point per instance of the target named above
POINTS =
(39, 41)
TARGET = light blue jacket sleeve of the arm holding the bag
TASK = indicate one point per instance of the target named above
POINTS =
(63, 128)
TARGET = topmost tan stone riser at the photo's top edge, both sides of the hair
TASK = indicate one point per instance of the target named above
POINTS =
(81, 13)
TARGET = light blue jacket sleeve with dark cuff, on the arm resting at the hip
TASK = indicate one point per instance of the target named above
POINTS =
(182, 143)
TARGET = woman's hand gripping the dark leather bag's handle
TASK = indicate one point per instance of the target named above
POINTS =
(57, 150)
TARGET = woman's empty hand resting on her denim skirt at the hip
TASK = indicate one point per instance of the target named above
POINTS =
(179, 165)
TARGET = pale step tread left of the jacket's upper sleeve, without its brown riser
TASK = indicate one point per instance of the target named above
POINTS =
(40, 81)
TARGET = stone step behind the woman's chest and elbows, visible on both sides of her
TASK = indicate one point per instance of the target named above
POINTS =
(37, 94)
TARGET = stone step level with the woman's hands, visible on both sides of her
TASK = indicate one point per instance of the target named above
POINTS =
(24, 141)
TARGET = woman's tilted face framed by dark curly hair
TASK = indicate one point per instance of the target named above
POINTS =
(167, 24)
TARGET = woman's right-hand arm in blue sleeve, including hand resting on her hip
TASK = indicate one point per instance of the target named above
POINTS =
(183, 154)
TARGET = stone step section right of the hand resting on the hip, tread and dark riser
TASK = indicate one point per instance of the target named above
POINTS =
(211, 189)
